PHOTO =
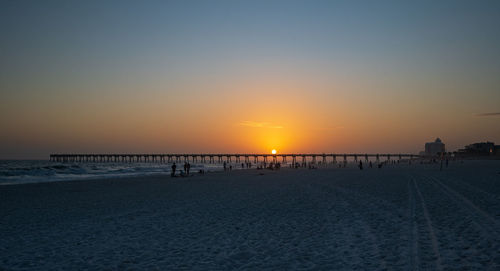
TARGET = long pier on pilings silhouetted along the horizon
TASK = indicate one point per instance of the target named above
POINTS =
(229, 158)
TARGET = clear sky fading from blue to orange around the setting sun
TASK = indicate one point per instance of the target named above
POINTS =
(246, 76)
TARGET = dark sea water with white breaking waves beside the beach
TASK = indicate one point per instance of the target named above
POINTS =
(32, 171)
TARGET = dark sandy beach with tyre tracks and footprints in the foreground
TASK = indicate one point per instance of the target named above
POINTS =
(400, 217)
